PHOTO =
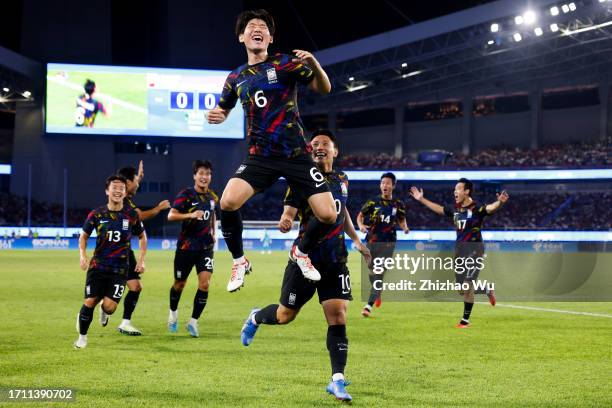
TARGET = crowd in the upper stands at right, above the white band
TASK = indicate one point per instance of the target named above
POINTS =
(587, 154)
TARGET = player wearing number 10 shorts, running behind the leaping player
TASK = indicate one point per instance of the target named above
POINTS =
(330, 258)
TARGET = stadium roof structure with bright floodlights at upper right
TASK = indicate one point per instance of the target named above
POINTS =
(501, 47)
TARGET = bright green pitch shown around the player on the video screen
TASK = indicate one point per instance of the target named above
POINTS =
(127, 87)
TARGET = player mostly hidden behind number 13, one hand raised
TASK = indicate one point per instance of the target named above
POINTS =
(134, 278)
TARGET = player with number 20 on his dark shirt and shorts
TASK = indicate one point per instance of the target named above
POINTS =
(195, 208)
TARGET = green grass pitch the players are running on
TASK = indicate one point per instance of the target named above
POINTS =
(407, 354)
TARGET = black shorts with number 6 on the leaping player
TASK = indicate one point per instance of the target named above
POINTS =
(301, 174)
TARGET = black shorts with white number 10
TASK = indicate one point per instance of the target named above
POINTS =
(296, 291)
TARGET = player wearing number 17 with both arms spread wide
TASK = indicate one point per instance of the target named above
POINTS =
(468, 217)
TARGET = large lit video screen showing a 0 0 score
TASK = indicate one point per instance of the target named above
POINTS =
(113, 100)
